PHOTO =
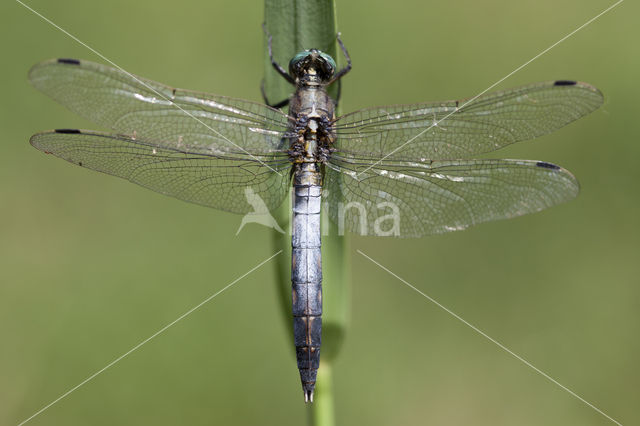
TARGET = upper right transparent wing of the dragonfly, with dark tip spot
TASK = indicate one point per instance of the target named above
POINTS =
(464, 128)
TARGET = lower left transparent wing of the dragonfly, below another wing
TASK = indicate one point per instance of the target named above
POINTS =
(224, 183)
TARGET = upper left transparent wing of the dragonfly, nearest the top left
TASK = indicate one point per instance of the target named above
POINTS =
(181, 119)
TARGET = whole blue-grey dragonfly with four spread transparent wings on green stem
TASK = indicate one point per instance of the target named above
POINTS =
(400, 170)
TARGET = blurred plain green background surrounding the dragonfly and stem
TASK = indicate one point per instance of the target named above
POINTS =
(91, 265)
